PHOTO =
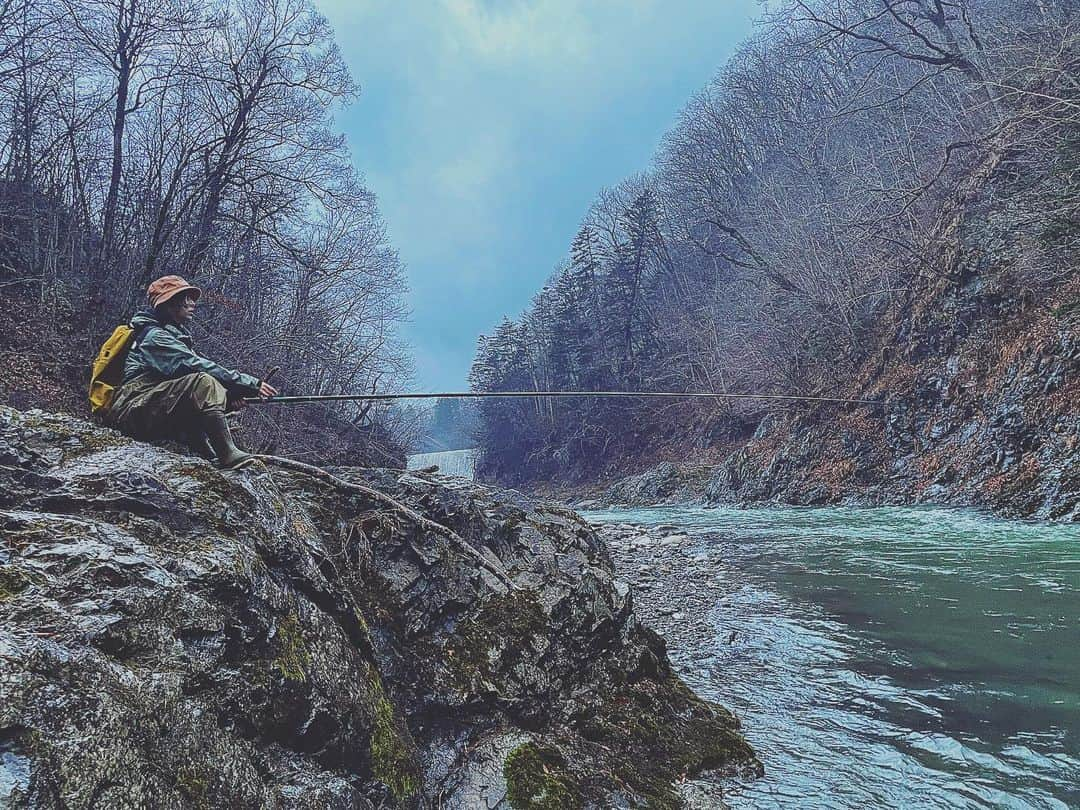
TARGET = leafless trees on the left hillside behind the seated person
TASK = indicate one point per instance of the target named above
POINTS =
(145, 138)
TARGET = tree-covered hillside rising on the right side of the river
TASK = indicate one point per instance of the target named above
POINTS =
(868, 185)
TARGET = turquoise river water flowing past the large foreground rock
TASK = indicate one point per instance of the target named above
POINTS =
(893, 657)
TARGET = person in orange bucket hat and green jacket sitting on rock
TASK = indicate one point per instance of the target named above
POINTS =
(169, 390)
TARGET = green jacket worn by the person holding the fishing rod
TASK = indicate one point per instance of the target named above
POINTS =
(168, 353)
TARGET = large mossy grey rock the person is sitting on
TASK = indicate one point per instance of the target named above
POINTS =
(178, 638)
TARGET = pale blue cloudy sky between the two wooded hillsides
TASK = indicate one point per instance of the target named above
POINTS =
(487, 129)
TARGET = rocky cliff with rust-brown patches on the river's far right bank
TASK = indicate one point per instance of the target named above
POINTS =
(977, 375)
